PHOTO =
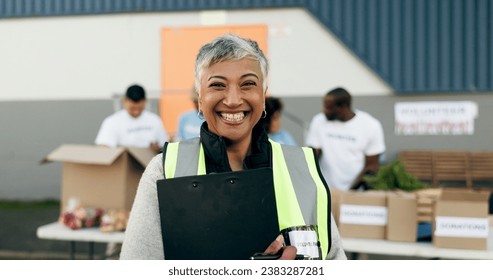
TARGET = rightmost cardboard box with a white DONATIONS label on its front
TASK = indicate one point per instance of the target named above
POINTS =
(461, 220)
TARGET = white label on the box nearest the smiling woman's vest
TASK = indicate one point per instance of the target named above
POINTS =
(363, 215)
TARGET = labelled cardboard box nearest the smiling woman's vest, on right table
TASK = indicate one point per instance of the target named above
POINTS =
(363, 214)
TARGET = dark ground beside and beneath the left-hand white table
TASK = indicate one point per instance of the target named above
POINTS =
(18, 238)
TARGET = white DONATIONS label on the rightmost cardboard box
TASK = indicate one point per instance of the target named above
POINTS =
(461, 227)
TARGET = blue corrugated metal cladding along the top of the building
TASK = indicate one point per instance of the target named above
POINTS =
(414, 45)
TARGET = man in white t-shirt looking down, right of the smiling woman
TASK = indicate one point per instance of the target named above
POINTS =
(348, 143)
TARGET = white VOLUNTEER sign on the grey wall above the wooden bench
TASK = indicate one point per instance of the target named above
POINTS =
(435, 118)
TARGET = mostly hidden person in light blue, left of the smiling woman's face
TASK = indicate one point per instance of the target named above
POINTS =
(189, 122)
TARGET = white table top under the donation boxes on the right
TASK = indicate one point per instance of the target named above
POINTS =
(415, 249)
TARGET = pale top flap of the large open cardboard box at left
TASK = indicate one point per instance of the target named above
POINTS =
(85, 154)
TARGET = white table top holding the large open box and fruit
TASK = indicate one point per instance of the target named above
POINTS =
(57, 231)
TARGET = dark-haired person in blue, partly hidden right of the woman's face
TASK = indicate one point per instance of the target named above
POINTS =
(272, 122)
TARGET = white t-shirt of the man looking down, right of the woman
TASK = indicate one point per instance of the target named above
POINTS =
(344, 146)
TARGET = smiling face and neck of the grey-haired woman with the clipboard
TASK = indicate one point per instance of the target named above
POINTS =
(232, 99)
